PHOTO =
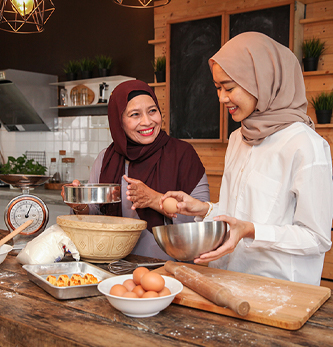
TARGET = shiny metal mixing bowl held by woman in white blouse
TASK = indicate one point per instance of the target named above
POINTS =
(188, 241)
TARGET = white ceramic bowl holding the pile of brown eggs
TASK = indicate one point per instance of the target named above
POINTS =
(139, 307)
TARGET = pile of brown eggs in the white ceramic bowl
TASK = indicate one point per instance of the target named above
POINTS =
(145, 284)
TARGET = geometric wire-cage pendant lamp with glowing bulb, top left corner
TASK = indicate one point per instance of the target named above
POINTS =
(25, 16)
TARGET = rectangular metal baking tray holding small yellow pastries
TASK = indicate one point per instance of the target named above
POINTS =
(39, 273)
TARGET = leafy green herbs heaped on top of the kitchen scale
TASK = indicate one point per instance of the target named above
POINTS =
(22, 165)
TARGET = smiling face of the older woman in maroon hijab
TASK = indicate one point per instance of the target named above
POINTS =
(142, 120)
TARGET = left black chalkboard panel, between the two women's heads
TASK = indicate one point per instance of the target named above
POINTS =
(194, 105)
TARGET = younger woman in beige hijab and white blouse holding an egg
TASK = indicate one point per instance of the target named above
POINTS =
(276, 191)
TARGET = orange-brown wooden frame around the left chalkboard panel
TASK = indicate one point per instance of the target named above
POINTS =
(221, 111)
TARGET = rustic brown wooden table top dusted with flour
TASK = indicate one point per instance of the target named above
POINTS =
(31, 317)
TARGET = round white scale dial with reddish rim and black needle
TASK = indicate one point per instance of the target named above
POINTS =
(23, 208)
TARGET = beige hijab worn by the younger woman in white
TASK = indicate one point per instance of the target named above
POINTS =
(271, 73)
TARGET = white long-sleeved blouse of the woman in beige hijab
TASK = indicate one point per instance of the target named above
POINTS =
(283, 186)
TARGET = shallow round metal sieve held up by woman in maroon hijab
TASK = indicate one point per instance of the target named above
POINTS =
(92, 193)
